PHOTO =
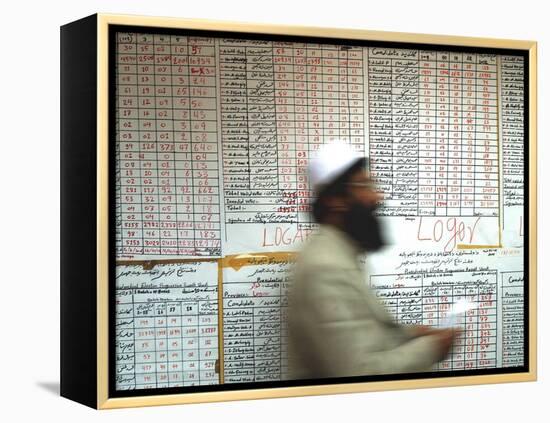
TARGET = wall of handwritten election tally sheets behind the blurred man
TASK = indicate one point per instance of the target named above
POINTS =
(213, 138)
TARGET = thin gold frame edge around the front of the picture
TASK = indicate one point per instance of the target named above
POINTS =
(103, 21)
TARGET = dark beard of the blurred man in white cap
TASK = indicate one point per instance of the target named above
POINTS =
(364, 227)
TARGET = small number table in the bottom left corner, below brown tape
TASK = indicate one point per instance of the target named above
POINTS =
(164, 344)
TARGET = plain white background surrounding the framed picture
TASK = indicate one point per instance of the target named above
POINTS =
(29, 207)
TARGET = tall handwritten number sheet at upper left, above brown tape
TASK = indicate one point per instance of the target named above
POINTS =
(167, 195)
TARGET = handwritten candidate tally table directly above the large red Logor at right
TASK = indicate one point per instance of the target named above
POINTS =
(433, 132)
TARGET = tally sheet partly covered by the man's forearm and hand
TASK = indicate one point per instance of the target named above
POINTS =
(426, 299)
